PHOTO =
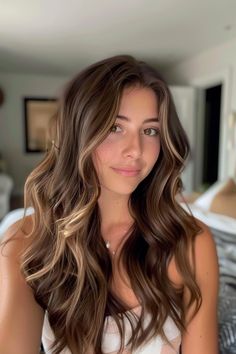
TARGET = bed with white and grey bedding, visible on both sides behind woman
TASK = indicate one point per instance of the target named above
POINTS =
(224, 231)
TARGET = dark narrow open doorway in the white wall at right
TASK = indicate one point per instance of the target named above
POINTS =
(211, 134)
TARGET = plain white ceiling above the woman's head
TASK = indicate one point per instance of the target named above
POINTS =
(59, 37)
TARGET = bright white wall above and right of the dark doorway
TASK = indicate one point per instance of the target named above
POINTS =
(209, 66)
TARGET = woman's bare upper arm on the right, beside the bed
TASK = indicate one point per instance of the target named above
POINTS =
(202, 330)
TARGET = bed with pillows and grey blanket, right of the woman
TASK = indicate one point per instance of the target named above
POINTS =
(223, 228)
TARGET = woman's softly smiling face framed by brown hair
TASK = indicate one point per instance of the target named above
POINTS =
(129, 152)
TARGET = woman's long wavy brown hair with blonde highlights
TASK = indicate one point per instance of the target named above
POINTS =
(67, 264)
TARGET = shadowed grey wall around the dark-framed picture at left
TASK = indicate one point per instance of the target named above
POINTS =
(12, 140)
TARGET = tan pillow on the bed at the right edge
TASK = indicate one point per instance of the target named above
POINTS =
(224, 202)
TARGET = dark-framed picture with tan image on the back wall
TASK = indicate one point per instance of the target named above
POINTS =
(38, 113)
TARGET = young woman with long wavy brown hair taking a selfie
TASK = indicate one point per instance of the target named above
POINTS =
(109, 261)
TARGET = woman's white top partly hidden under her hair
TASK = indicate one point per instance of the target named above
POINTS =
(111, 339)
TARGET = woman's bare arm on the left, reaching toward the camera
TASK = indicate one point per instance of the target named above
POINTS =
(21, 318)
